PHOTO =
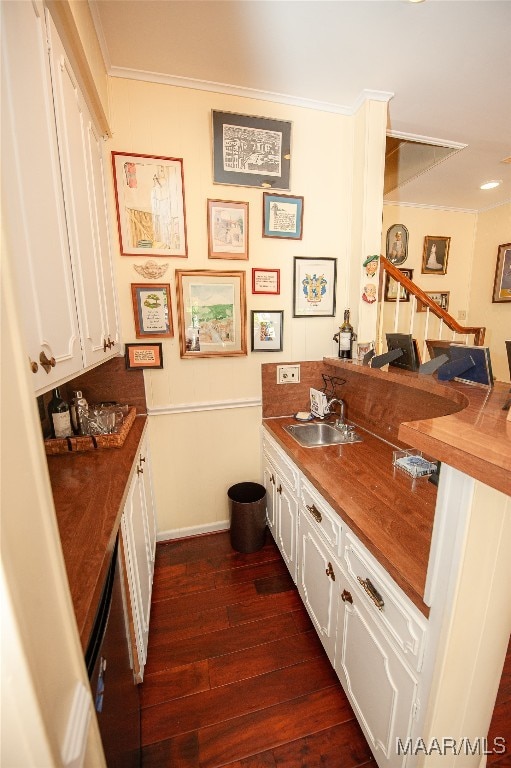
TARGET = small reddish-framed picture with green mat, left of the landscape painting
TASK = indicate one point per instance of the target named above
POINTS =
(152, 310)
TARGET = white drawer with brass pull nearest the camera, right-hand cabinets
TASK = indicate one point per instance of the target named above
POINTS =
(389, 606)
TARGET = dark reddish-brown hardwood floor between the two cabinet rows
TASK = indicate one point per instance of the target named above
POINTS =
(236, 675)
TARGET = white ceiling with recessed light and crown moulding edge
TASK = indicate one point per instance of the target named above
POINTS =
(446, 62)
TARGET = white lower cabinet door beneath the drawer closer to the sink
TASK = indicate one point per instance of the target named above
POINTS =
(318, 583)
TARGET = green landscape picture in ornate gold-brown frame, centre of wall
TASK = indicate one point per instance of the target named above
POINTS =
(212, 313)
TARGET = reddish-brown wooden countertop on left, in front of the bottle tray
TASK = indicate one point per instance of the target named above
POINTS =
(89, 491)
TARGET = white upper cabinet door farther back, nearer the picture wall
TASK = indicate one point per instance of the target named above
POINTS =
(82, 168)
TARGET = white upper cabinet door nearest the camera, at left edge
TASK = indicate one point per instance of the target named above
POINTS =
(32, 203)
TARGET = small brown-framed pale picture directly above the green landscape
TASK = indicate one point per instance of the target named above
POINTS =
(227, 229)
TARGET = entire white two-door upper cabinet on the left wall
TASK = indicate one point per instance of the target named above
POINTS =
(54, 204)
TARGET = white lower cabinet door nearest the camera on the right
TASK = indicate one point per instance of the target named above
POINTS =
(381, 688)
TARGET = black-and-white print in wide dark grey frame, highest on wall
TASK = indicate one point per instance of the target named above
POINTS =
(251, 151)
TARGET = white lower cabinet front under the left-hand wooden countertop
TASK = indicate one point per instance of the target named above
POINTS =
(138, 527)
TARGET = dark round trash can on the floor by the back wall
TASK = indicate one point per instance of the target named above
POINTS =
(247, 502)
